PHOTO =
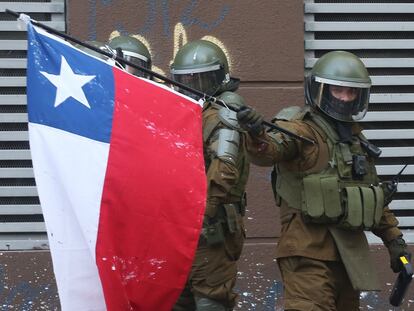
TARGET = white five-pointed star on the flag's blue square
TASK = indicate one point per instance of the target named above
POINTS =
(68, 84)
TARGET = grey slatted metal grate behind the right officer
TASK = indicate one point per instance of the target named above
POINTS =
(381, 33)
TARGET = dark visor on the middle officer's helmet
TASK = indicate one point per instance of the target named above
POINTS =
(208, 82)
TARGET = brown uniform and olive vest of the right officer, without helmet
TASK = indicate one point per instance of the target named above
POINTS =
(325, 205)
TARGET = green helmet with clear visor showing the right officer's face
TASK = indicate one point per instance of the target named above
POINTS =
(339, 85)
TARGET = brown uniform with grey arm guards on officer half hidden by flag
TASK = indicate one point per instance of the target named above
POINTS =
(214, 271)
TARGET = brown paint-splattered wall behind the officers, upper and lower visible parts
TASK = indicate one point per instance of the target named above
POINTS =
(264, 43)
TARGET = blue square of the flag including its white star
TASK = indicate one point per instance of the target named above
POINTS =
(69, 89)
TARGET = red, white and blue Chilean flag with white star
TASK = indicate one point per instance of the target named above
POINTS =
(119, 168)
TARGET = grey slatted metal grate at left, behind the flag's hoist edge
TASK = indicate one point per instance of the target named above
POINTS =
(21, 220)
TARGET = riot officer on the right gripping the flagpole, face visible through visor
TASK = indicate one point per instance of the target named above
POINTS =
(329, 191)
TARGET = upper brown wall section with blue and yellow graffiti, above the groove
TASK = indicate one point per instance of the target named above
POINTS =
(264, 40)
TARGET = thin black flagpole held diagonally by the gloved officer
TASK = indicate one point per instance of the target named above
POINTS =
(156, 75)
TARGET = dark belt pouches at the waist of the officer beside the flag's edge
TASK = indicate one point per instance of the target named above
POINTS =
(225, 222)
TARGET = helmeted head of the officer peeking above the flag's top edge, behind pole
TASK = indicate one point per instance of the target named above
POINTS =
(133, 50)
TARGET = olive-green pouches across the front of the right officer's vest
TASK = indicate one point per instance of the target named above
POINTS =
(325, 200)
